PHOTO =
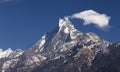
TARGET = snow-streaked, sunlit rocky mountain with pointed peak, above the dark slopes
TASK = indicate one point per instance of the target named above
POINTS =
(65, 43)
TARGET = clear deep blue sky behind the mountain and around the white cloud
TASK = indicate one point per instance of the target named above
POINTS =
(23, 22)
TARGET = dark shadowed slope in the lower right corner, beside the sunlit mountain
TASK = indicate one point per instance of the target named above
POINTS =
(107, 62)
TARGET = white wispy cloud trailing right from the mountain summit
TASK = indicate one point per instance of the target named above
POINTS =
(92, 17)
